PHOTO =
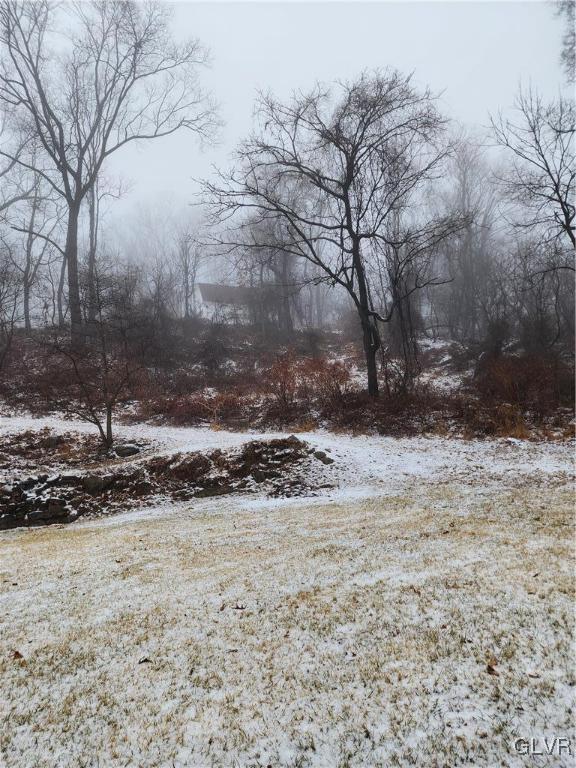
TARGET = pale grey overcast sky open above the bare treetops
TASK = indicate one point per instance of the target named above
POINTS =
(475, 53)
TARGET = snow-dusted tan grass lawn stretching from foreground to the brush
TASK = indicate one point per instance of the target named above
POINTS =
(421, 613)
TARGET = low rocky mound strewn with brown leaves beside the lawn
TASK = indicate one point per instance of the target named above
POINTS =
(281, 467)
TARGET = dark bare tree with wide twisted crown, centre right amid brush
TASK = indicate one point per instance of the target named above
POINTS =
(331, 173)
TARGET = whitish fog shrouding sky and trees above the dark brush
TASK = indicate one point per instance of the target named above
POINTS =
(410, 171)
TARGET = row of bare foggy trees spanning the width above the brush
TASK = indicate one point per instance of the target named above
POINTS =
(360, 190)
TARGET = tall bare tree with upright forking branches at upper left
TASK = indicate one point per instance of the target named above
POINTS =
(119, 79)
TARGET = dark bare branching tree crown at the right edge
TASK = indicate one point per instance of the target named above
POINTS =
(542, 171)
